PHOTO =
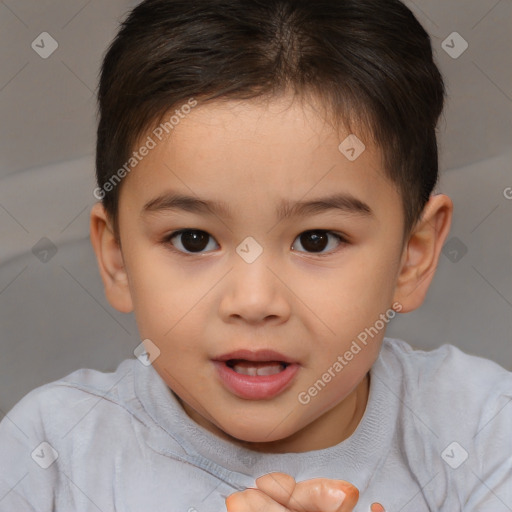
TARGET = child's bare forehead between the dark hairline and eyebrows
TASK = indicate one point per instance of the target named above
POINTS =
(239, 153)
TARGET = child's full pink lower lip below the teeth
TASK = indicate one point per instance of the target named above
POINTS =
(255, 387)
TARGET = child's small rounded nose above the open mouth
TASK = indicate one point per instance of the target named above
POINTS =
(252, 292)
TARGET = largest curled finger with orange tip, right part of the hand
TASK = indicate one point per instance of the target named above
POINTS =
(324, 494)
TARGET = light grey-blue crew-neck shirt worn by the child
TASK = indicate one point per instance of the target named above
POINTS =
(436, 436)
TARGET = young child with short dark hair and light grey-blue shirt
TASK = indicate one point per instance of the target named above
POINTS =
(266, 172)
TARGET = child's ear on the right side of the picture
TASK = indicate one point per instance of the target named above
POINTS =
(421, 252)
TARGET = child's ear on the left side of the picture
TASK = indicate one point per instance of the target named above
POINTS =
(110, 260)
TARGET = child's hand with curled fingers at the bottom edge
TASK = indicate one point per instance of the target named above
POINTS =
(278, 492)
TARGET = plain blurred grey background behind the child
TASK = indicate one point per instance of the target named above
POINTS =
(54, 317)
